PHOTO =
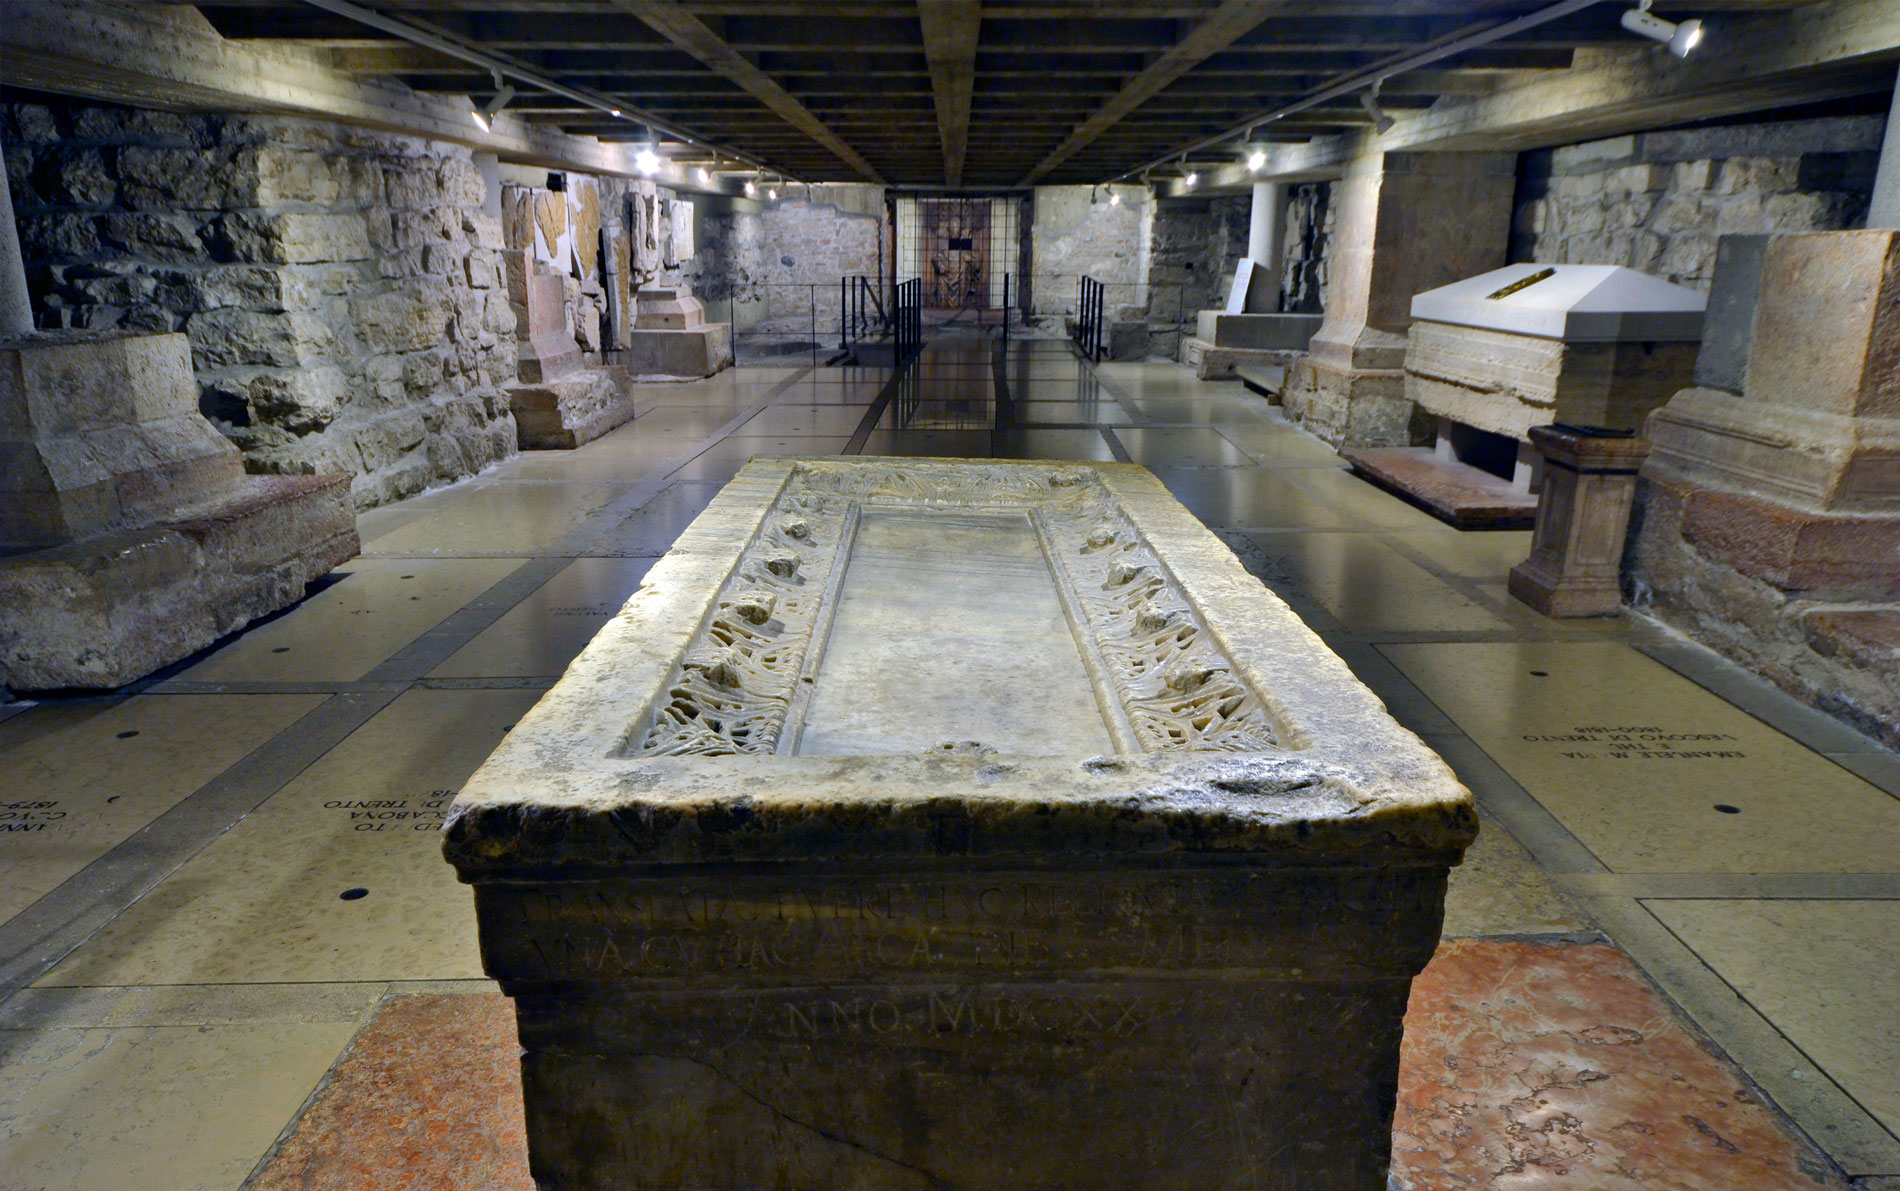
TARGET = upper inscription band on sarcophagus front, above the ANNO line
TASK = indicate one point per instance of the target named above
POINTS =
(915, 930)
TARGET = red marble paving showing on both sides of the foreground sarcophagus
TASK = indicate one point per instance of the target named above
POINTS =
(1527, 1068)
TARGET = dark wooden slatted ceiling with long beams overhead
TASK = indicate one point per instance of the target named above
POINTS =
(1057, 92)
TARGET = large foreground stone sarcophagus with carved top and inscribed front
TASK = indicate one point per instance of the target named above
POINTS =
(959, 825)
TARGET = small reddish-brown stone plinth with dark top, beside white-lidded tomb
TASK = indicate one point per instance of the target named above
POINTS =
(1584, 518)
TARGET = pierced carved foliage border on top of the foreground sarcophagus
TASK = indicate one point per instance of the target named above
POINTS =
(1164, 671)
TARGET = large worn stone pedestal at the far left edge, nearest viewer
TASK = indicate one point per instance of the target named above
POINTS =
(130, 535)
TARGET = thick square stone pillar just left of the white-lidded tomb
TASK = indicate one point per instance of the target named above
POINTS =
(1405, 223)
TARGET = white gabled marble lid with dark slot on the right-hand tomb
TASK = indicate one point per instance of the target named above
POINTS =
(1574, 303)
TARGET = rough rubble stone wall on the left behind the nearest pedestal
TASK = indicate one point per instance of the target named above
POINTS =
(339, 286)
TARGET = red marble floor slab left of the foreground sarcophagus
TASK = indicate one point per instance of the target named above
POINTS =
(428, 1099)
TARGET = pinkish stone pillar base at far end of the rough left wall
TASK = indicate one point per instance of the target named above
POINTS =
(558, 402)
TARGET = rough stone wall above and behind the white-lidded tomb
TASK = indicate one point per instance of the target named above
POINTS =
(1658, 202)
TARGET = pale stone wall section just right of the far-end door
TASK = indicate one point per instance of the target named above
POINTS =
(1080, 233)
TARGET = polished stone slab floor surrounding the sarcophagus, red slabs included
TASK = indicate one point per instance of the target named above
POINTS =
(231, 953)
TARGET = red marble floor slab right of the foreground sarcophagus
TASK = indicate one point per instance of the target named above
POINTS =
(1540, 1067)
